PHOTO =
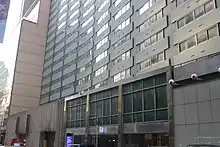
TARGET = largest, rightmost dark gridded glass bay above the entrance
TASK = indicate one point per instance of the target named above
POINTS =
(145, 105)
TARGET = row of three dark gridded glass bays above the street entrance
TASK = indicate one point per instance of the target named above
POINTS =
(143, 101)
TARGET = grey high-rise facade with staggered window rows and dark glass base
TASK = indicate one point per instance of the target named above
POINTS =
(122, 65)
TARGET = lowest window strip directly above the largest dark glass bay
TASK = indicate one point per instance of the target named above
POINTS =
(153, 60)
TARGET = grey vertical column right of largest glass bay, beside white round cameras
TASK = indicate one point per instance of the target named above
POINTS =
(170, 105)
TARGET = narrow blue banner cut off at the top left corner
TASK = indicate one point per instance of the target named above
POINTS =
(4, 6)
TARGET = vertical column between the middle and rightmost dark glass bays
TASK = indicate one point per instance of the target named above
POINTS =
(120, 117)
